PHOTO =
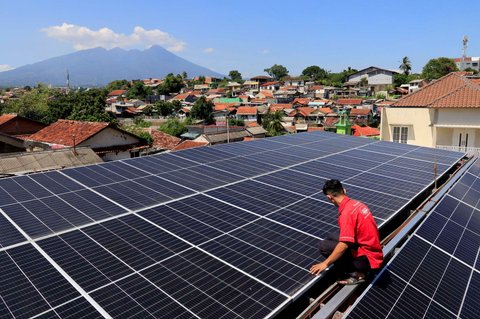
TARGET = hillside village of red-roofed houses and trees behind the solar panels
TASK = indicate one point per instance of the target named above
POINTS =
(145, 117)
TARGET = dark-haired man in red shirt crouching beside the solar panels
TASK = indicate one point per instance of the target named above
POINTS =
(357, 247)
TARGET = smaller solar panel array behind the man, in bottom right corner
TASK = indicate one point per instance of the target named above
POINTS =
(437, 273)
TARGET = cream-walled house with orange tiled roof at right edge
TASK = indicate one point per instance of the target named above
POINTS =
(443, 114)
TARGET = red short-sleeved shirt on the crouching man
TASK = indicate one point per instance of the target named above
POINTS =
(358, 226)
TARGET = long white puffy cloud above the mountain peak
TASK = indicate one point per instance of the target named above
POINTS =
(84, 38)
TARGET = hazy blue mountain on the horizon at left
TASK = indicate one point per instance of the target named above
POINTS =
(98, 67)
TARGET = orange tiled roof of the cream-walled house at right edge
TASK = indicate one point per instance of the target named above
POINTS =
(450, 91)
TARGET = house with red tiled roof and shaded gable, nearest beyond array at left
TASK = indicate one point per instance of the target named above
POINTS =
(108, 141)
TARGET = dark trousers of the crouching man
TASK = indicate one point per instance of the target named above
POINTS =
(346, 263)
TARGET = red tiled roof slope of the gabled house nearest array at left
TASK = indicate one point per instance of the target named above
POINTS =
(62, 131)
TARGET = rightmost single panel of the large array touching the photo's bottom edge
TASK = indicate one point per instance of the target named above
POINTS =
(198, 281)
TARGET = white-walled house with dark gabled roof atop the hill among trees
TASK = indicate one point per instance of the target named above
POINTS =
(378, 79)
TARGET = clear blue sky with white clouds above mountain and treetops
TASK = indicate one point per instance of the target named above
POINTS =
(248, 35)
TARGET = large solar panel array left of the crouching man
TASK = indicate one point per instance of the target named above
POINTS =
(217, 232)
